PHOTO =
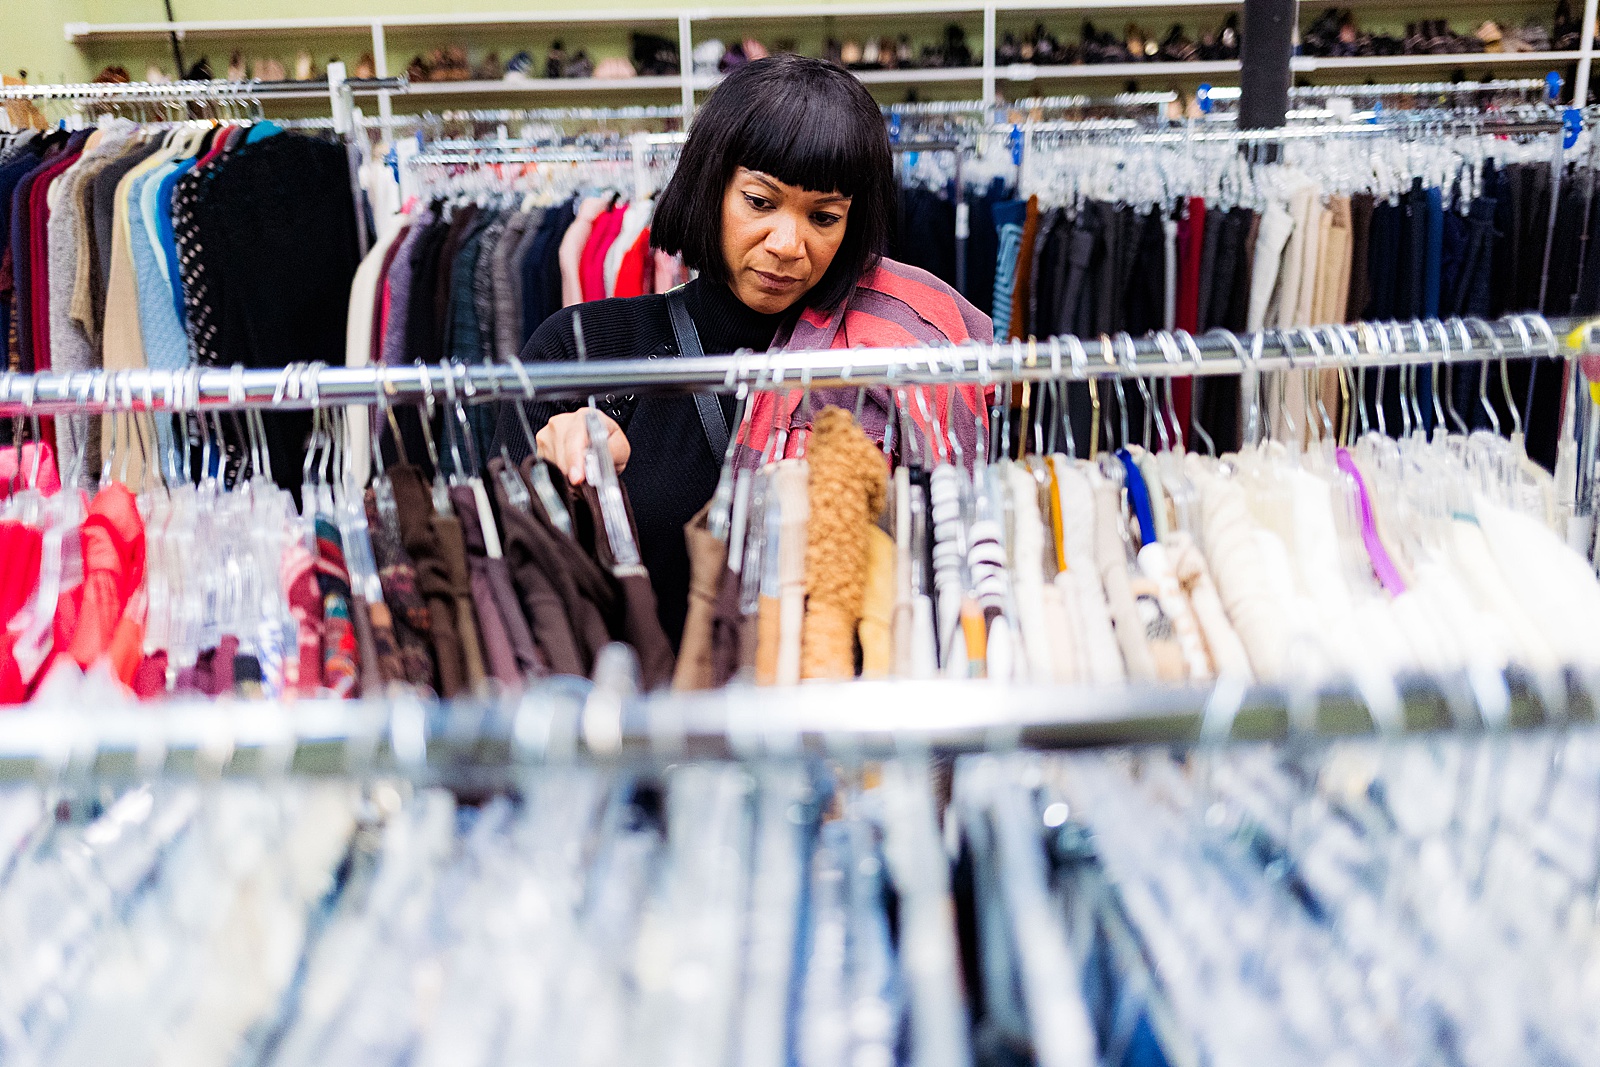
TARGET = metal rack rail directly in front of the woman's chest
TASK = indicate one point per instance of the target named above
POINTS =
(306, 386)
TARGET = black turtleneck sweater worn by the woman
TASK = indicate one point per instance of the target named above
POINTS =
(673, 471)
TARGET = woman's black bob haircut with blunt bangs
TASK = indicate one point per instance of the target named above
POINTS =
(804, 122)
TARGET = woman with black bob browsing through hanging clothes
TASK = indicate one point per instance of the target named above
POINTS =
(782, 201)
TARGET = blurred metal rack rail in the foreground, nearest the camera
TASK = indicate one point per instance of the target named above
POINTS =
(482, 741)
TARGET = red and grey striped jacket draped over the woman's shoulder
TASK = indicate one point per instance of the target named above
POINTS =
(894, 306)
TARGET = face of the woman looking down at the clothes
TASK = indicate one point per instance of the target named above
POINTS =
(778, 241)
